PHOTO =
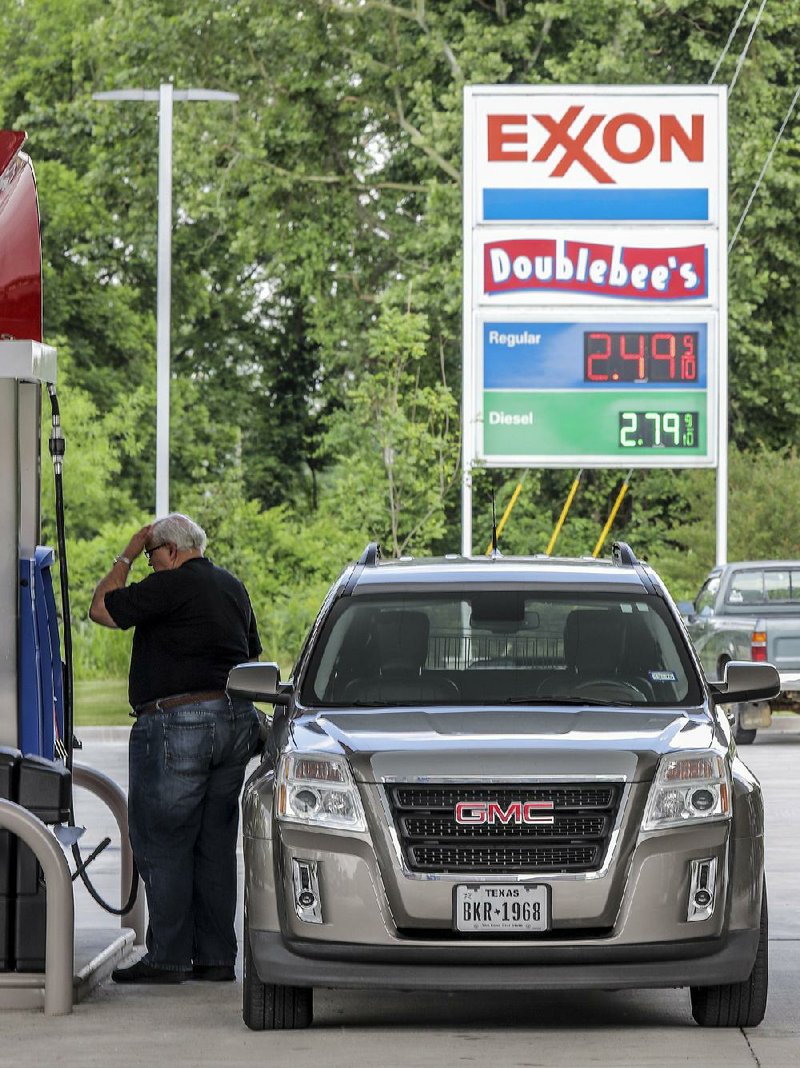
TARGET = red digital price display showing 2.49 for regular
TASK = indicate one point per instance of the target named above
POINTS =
(640, 357)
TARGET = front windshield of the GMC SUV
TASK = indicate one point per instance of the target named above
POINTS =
(489, 648)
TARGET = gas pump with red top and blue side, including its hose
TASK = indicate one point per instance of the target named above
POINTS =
(36, 693)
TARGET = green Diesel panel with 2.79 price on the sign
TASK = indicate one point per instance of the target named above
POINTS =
(631, 425)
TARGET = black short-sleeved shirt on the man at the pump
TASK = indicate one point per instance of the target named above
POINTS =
(193, 625)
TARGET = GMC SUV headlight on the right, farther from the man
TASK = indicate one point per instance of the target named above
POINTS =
(688, 788)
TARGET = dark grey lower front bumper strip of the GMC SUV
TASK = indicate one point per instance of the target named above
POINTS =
(701, 963)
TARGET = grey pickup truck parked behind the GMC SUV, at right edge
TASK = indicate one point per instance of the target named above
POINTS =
(749, 611)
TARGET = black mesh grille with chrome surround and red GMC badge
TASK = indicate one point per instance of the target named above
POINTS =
(432, 841)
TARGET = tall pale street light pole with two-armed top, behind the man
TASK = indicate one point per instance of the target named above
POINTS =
(165, 96)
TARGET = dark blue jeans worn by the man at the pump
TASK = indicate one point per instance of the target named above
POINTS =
(186, 767)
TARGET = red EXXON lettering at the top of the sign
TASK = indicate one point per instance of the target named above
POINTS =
(626, 138)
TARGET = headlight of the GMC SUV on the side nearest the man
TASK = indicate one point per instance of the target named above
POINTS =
(319, 792)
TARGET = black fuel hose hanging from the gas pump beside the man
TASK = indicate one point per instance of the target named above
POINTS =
(58, 447)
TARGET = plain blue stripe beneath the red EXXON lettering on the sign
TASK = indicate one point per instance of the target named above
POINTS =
(588, 205)
